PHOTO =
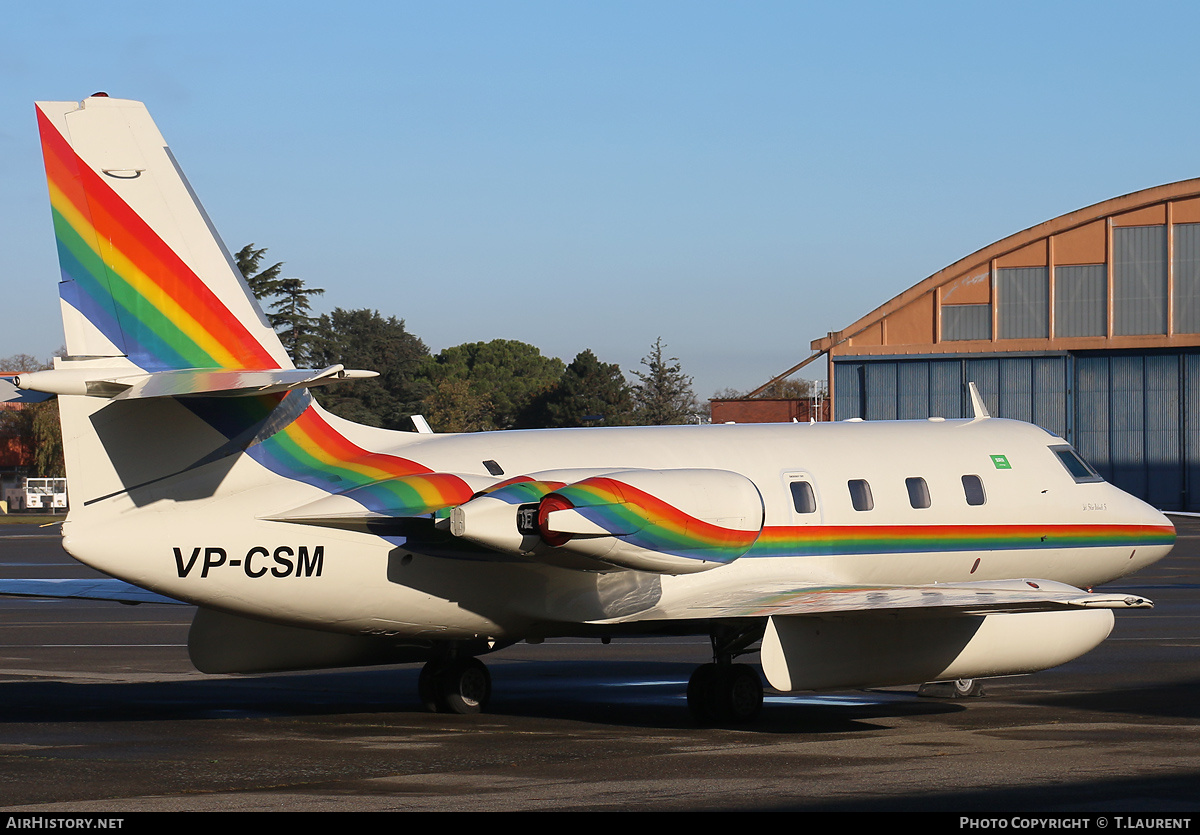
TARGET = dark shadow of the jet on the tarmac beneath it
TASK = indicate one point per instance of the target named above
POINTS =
(623, 694)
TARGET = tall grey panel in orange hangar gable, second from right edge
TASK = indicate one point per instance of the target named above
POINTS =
(1139, 280)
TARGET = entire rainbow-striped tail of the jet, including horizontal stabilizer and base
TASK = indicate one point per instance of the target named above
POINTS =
(172, 369)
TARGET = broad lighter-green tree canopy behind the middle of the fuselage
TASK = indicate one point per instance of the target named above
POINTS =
(506, 374)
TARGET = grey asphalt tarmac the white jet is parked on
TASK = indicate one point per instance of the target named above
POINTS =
(101, 711)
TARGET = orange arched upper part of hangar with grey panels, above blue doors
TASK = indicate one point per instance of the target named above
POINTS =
(1121, 274)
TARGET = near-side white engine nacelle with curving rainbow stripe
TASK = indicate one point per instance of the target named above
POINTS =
(677, 521)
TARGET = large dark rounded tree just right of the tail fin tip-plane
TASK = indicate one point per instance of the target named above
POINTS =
(363, 339)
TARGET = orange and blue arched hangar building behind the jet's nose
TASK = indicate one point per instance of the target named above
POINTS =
(1088, 325)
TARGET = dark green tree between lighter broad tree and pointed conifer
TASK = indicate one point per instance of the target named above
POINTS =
(590, 393)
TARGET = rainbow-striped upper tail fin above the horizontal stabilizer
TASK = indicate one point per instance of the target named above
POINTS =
(145, 274)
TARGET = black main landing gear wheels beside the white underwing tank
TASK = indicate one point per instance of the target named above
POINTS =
(723, 692)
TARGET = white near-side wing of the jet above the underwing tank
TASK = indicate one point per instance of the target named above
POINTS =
(983, 598)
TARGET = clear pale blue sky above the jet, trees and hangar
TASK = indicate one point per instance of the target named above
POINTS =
(737, 178)
